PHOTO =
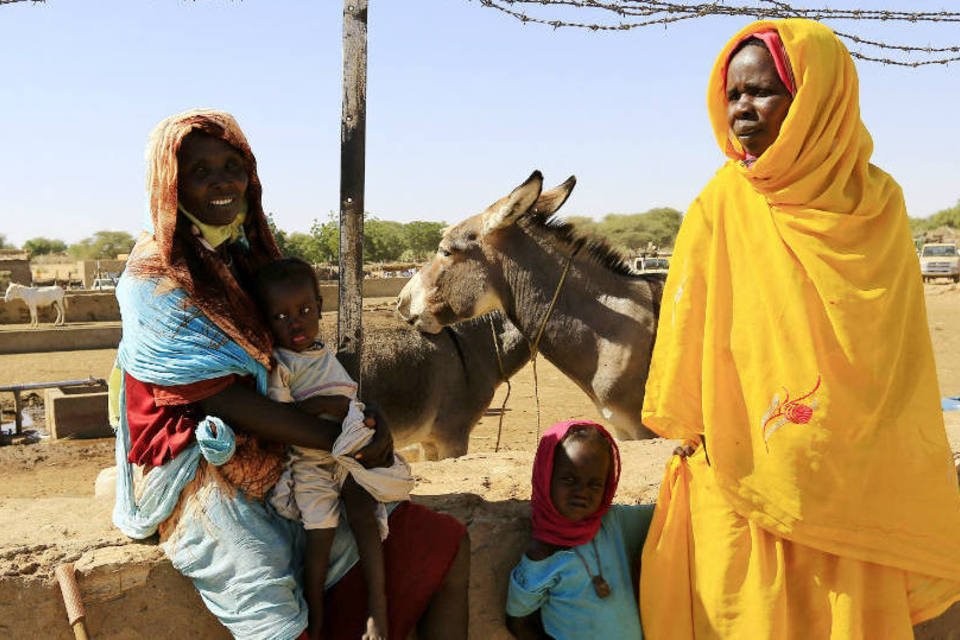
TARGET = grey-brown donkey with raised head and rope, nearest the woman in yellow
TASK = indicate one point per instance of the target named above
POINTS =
(573, 297)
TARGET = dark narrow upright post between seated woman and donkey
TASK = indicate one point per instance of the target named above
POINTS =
(353, 133)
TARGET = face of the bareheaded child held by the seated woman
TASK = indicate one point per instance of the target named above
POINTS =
(293, 313)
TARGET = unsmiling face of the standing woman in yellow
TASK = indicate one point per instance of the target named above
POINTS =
(757, 100)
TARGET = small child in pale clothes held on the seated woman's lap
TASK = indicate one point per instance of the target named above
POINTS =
(316, 483)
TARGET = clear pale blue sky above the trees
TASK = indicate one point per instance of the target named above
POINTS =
(463, 103)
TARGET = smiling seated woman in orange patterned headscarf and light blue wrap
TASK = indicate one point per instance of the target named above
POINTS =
(199, 445)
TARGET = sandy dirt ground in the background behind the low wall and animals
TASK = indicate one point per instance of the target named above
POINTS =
(68, 468)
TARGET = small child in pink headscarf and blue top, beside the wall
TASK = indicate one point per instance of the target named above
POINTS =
(576, 579)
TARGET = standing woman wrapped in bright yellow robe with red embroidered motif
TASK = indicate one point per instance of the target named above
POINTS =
(793, 352)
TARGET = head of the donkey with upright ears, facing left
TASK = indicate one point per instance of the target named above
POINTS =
(463, 278)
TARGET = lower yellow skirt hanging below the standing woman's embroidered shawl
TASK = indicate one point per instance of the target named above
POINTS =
(707, 572)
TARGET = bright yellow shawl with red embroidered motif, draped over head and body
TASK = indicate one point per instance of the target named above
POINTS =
(793, 333)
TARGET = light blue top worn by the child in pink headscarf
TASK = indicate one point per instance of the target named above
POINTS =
(560, 587)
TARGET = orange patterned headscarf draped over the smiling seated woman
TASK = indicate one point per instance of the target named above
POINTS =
(176, 254)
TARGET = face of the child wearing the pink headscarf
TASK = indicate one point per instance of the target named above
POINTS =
(580, 471)
